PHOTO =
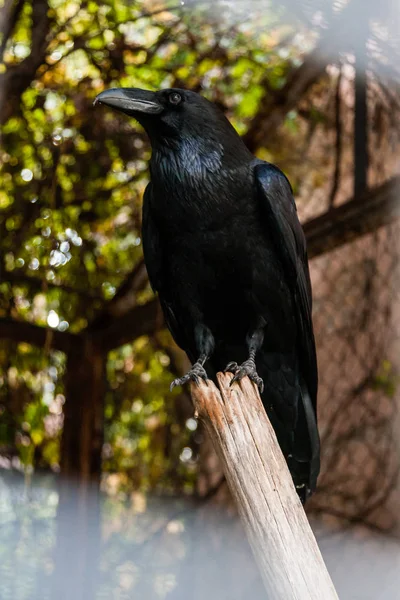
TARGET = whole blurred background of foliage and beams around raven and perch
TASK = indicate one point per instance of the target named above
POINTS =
(109, 487)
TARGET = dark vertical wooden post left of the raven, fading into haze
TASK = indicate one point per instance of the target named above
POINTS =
(78, 514)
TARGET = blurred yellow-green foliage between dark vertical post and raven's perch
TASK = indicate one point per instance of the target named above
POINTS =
(144, 435)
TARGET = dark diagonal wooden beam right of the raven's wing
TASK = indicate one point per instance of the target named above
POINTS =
(364, 214)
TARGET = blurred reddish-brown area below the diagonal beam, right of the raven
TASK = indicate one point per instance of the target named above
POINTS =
(356, 317)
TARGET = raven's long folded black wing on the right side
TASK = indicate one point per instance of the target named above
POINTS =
(279, 211)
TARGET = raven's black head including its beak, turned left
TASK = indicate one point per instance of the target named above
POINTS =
(174, 116)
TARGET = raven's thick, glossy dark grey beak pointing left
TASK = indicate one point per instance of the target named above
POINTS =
(130, 100)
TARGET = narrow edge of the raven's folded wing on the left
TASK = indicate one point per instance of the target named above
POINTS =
(154, 260)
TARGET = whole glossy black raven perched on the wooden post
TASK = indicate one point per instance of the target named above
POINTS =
(226, 253)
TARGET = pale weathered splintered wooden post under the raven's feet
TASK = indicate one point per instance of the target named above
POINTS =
(278, 530)
